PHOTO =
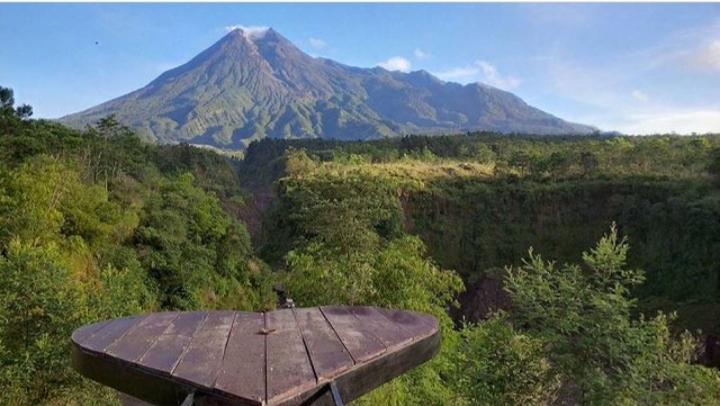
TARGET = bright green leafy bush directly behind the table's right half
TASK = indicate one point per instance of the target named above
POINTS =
(393, 274)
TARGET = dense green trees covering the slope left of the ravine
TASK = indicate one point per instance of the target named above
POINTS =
(73, 207)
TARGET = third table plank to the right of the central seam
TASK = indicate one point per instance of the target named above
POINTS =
(361, 344)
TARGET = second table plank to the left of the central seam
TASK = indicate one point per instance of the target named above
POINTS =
(200, 363)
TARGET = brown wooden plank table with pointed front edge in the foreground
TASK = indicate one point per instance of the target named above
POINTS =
(284, 357)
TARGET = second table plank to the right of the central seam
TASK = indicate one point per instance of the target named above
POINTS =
(328, 355)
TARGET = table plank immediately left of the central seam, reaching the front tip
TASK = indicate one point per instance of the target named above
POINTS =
(242, 372)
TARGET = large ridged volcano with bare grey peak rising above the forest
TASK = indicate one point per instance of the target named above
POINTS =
(255, 84)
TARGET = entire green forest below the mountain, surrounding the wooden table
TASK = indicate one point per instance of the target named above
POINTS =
(96, 224)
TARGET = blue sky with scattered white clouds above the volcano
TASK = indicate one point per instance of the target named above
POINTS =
(639, 68)
